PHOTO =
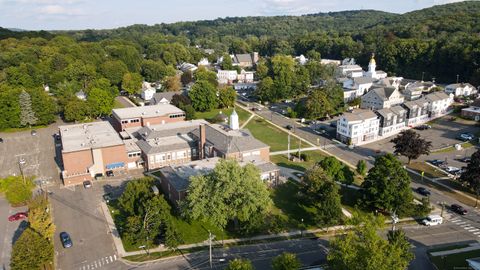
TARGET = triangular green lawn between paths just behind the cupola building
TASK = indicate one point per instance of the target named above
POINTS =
(271, 135)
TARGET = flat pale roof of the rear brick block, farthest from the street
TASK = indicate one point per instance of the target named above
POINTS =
(146, 111)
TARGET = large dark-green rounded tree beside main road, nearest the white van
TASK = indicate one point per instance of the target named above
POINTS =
(387, 186)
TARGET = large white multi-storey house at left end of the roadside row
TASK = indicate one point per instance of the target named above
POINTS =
(358, 127)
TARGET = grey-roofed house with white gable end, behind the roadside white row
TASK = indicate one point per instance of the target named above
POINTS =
(381, 97)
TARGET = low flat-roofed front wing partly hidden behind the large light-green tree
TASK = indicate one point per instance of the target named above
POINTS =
(175, 179)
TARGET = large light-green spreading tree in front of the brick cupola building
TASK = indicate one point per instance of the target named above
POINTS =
(229, 193)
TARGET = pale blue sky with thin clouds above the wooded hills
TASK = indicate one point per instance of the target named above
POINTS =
(101, 14)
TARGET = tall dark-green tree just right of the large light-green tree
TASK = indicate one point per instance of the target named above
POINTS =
(322, 195)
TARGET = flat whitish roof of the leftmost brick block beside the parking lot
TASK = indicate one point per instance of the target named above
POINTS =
(88, 136)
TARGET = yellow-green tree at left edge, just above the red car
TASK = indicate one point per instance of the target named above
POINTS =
(17, 190)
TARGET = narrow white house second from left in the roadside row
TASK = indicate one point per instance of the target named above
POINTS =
(392, 120)
